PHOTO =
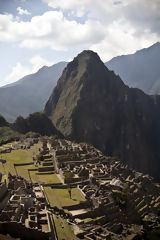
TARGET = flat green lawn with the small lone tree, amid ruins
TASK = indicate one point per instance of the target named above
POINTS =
(60, 197)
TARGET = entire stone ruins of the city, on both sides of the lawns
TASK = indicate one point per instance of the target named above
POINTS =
(120, 203)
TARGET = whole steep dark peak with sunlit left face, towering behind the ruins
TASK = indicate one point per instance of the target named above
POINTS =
(92, 104)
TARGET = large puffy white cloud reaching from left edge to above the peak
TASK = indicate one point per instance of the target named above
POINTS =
(51, 29)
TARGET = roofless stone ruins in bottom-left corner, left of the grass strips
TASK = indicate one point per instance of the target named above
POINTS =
(25, 215)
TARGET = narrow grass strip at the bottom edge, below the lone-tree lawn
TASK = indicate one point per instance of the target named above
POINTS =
(64, 231)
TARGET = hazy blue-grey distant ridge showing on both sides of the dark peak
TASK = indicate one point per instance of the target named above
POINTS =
(29, 94)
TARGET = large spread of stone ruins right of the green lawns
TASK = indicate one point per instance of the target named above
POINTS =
(120, 202)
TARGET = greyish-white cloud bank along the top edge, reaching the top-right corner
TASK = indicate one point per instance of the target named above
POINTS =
(142, 14)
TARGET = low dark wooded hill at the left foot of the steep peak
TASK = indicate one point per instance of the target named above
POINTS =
(36, 122)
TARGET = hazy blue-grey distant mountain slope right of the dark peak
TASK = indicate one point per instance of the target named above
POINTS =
(139, 70)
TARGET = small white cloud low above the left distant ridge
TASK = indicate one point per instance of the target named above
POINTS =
(19, 70)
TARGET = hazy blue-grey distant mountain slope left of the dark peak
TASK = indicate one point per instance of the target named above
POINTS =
(30, 93)
